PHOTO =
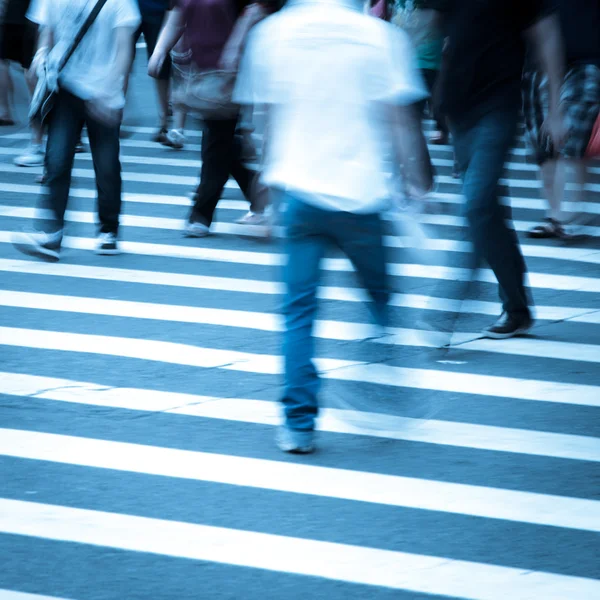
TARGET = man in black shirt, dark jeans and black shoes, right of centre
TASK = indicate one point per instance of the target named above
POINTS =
(481, 95)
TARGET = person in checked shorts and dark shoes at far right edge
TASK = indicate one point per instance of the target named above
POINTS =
(580, 104)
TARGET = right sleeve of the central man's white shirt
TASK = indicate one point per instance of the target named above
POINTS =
(394, 78)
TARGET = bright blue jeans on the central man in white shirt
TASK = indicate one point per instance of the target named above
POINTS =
(309, 232)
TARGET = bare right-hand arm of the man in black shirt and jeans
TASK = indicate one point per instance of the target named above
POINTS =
(546, 38)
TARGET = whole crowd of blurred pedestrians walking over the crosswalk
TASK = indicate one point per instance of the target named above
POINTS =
(336, 88)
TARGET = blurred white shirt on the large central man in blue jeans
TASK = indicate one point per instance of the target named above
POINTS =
(325, 70)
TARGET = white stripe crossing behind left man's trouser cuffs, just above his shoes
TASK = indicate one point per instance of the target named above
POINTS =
(433, 244)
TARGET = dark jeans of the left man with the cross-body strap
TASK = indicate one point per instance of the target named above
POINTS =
(64, 131)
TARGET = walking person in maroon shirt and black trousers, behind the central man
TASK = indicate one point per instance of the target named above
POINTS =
(207, 27)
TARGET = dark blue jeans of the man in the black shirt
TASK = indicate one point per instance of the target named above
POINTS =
(481, 150)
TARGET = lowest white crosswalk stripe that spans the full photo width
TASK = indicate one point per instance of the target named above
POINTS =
(340, 562)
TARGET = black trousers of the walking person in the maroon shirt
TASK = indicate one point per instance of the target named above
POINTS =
(221, 156)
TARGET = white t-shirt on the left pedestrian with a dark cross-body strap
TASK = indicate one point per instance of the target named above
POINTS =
(90, 72)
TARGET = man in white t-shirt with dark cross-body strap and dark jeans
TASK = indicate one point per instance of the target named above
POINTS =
(90, 92)
